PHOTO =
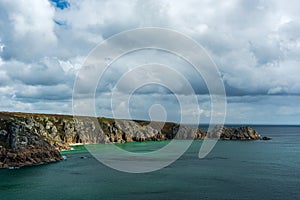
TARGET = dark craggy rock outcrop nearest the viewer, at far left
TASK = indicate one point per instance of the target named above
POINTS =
(20, 146)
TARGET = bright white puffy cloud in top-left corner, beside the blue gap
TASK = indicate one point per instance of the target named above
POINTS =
(27, 29)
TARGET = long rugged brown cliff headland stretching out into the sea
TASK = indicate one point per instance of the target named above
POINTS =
(29, 139)
